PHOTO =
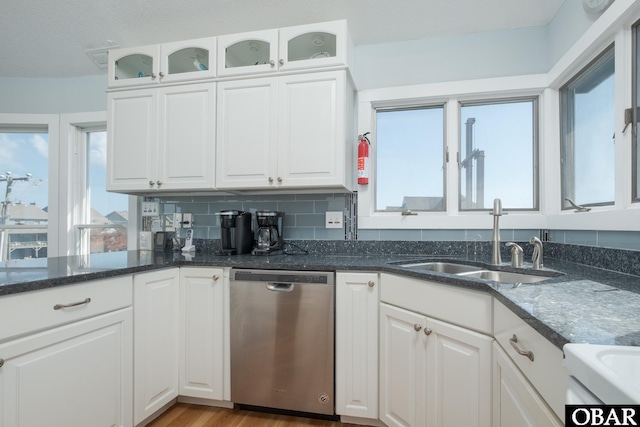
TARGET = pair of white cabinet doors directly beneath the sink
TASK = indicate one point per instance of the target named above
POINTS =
(432, 373)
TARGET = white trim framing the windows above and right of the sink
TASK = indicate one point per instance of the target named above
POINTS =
(613, 26)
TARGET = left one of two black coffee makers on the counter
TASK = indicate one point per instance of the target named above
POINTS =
(235, 232)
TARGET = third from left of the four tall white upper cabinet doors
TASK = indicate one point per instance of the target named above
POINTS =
(247, 133)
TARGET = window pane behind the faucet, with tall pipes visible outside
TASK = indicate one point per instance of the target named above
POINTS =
(498, 155)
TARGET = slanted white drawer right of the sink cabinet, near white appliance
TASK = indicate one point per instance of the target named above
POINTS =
(545, 371)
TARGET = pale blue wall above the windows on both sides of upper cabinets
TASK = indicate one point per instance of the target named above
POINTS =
(514, 52)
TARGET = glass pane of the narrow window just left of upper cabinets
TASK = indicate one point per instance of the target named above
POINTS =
(109, 210)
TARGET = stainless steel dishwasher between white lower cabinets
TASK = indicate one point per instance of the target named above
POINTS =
(282, 339)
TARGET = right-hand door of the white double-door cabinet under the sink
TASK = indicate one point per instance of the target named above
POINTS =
(459, 376)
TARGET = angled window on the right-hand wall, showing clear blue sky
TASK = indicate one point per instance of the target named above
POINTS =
(587, 127)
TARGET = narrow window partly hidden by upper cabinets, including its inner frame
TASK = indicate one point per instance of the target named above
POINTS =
(103, 221)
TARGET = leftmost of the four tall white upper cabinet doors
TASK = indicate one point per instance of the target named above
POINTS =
(132, 140)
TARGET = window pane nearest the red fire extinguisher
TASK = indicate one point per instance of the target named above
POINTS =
(410, 159)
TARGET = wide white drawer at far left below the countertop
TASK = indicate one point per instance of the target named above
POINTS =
(31, 311)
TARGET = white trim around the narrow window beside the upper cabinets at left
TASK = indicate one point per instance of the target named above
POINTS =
(71, 199)
